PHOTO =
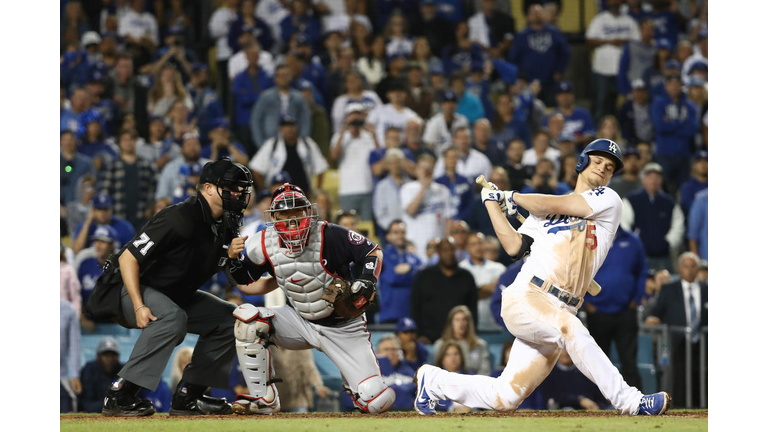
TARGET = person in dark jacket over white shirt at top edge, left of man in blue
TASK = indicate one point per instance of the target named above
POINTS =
(491, 28)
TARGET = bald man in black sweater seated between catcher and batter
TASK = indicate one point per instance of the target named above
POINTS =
(437, 290)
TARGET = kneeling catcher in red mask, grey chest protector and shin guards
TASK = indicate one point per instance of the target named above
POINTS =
(309, 260)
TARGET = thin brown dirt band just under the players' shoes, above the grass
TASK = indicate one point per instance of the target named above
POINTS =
(688, 414)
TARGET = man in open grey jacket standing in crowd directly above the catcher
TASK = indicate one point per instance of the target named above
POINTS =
(266, 118)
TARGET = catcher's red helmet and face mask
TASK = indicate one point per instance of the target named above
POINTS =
(292, 216)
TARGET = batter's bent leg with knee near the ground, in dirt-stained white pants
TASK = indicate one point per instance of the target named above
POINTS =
(527, 367)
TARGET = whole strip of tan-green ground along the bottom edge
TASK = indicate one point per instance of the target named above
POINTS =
(398, 422)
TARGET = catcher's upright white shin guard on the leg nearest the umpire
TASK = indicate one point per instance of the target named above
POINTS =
(252, 329)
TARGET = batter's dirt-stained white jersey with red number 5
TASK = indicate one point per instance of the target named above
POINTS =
(567, 251)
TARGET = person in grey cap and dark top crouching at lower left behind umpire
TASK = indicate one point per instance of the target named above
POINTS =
(97, 375)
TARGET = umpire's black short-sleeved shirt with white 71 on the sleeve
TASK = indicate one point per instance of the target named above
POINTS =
(179, 249)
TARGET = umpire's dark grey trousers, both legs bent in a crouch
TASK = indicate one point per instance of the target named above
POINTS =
(205, 315)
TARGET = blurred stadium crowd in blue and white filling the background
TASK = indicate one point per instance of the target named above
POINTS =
(385, 111)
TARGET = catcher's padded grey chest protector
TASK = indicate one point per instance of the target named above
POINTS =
(302, 278)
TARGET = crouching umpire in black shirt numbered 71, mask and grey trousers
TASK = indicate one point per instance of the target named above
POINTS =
(154, 287)
